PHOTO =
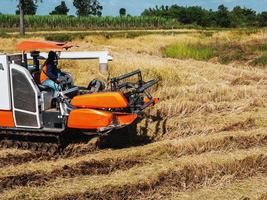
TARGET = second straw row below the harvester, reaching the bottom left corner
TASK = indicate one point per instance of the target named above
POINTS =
(196, 170)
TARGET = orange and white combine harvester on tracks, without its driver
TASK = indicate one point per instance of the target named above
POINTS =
(31, 118)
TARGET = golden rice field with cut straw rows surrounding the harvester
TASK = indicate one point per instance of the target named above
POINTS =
(205, 139)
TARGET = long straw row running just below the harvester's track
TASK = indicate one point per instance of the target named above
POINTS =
(226, 141)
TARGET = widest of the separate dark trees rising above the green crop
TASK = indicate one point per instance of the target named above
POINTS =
(88, 7)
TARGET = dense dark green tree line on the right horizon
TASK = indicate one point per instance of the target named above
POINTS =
(222, 17)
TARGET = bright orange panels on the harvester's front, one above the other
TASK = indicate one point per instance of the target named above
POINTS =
(89, 118)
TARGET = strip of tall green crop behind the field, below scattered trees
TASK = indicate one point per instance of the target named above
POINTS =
(71, 22)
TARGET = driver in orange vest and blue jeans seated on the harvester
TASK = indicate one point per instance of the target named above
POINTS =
(51, 75)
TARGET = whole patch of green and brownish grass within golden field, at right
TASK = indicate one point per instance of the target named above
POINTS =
(226, 52)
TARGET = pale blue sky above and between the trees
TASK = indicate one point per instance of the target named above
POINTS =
(135, 7)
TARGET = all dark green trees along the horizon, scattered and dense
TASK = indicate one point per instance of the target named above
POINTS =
(222, 17)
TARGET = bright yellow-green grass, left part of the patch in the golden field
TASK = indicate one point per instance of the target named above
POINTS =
(186, 51)
